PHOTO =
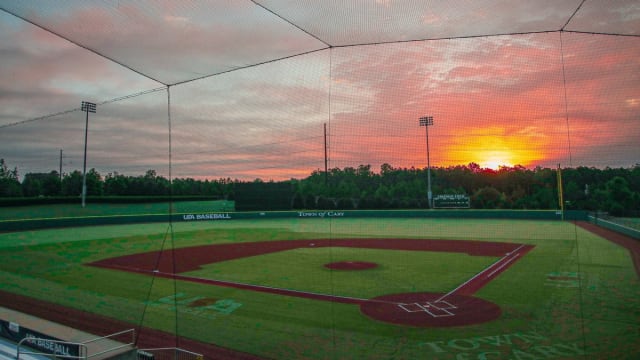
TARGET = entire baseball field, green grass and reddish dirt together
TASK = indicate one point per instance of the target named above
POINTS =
(332, 287)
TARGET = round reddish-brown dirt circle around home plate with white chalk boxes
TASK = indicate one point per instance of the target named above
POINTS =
(430, 310)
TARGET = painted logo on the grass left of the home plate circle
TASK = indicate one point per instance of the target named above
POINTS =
(200, 306)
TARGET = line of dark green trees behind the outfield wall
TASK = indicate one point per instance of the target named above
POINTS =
(614, 190)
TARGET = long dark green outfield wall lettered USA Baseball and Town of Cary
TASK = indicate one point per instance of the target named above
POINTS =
(33, 224)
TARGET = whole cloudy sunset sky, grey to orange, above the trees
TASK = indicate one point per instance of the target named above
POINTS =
(534, 99)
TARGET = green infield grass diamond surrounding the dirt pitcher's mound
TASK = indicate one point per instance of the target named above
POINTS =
(397, 271)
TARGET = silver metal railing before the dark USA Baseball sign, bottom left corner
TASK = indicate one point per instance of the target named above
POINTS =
(60, 349)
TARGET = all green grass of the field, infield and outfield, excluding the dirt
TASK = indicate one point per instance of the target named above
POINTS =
(544, 306)
